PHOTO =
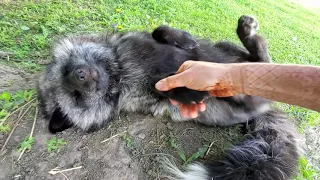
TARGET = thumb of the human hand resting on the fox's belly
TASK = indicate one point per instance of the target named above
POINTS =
(171, 82)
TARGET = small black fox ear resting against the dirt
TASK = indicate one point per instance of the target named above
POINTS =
(59, 121)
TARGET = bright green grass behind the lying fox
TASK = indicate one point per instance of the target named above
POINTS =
(28, 28)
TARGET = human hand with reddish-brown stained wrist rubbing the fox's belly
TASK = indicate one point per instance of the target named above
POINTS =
(215, 78)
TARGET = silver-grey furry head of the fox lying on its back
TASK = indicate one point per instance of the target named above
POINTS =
(79, 83)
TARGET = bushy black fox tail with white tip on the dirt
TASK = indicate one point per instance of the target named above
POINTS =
(269, 151)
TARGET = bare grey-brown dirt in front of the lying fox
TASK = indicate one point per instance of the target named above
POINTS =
(136, 144)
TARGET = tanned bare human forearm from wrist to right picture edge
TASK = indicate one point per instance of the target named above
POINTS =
(293, 84)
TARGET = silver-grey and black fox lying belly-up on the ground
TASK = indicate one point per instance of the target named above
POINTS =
(94, 77)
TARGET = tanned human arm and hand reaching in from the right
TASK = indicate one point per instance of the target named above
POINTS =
(293, 84)
